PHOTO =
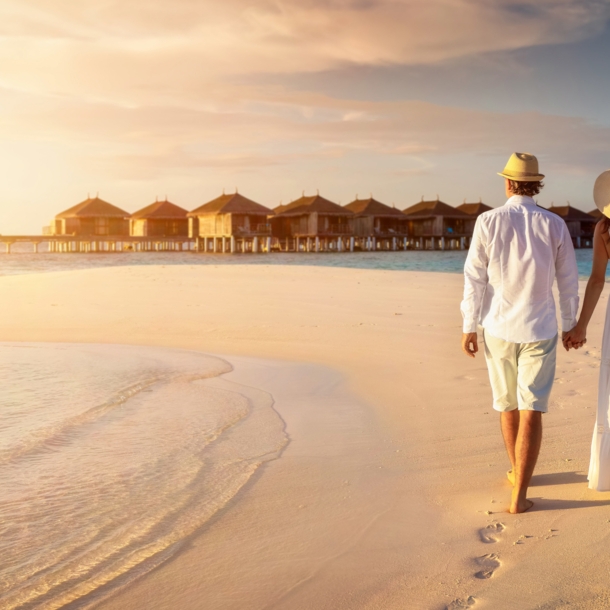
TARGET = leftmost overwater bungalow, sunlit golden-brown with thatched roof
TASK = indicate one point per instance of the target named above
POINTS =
(94, 216)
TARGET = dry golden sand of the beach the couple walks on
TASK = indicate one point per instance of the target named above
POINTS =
(394, 336)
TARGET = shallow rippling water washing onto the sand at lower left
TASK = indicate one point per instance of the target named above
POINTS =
(110, 457)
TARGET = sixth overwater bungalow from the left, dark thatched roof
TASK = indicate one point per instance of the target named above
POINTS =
(435, 225)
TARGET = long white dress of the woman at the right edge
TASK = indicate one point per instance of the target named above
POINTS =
(599, 467)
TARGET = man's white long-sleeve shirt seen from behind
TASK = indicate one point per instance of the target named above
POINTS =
(516, 253)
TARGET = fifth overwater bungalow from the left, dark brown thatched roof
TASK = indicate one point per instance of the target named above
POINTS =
(377, 225)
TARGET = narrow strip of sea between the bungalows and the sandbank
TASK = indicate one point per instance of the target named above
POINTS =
(411, 260)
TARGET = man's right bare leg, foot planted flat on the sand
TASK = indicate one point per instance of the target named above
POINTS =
(527, 448)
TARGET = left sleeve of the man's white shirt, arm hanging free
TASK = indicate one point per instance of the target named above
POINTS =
(475, 279)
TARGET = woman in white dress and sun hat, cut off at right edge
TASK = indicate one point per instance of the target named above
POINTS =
(599, 467)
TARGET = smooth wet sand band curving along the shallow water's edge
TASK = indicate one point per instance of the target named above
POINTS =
(292, 506)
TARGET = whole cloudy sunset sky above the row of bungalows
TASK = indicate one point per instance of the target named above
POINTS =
(135, 100)
